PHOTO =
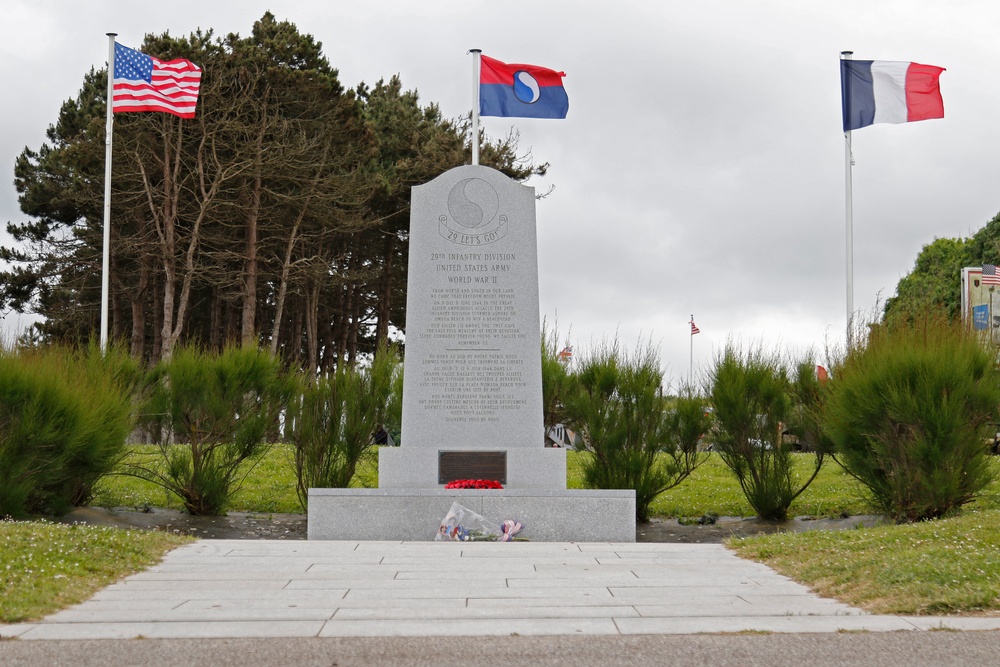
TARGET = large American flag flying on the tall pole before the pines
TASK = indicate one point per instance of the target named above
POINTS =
(145, 83)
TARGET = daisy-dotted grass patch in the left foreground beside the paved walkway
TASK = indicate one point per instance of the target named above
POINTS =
(46, 566)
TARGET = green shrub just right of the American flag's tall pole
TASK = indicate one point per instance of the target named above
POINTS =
(219, 409)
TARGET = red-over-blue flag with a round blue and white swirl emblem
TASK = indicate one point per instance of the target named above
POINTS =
(524, 91)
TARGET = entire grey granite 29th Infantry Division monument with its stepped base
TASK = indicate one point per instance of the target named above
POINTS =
(472, 387)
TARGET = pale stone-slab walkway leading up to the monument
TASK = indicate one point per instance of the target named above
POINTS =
(239, 588)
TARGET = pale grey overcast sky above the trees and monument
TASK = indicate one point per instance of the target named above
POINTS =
(701, 168)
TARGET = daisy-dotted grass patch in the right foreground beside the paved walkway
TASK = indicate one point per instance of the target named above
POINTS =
(934, 567)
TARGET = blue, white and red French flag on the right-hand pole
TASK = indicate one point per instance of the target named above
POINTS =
(889, 91)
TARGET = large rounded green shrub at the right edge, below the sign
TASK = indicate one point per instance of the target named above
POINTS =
(909, 413)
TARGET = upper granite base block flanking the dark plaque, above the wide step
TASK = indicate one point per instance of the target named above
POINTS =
(527, 467)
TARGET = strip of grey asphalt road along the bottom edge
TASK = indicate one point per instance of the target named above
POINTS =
(882, 649)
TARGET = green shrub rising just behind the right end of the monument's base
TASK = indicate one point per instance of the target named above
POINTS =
(616, 404)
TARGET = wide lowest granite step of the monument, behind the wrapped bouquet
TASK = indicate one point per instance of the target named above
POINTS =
(415, 514)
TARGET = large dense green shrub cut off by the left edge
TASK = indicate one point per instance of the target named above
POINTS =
(64, 419)
